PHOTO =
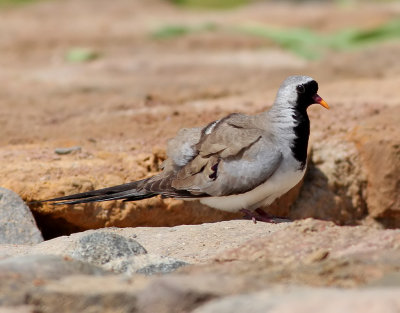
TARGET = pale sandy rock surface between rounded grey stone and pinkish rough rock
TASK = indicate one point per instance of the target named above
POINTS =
(198, 243)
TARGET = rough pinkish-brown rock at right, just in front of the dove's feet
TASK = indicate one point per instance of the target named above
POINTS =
(313, 240)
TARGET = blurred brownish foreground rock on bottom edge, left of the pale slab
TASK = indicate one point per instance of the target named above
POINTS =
(117, 294)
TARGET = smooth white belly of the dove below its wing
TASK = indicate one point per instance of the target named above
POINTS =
(278, 184)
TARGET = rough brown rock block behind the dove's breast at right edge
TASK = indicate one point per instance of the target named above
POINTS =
(358, 179)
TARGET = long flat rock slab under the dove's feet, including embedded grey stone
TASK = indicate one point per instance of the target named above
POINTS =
(306, 240)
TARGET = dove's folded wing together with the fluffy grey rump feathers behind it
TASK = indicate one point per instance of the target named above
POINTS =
(230, 156)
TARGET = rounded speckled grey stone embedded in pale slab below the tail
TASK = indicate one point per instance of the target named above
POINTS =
(102, 247)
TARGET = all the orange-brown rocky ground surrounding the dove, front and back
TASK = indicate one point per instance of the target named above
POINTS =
(74, 126)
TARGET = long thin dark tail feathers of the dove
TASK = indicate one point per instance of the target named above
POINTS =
(127, 192)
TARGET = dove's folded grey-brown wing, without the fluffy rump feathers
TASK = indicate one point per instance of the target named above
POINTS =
(235, 157)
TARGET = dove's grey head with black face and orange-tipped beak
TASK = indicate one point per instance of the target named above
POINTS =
(299, 92)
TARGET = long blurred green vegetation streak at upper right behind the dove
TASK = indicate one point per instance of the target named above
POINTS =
(303, 42)
